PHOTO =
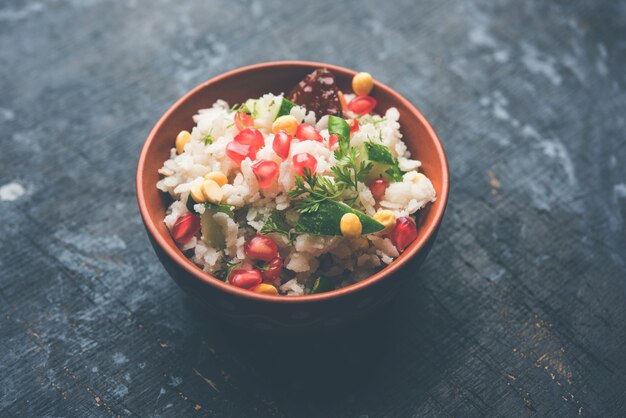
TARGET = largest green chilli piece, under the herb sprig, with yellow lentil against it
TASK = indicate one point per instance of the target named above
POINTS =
(326, 219)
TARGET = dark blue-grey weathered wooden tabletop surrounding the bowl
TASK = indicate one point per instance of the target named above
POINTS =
(519, 310)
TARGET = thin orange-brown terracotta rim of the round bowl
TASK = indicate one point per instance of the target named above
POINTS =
(177, 256)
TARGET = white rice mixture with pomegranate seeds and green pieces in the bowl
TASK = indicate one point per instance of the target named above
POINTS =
(294, 194)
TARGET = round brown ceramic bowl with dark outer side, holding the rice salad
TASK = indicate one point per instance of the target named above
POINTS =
(280, 313)
